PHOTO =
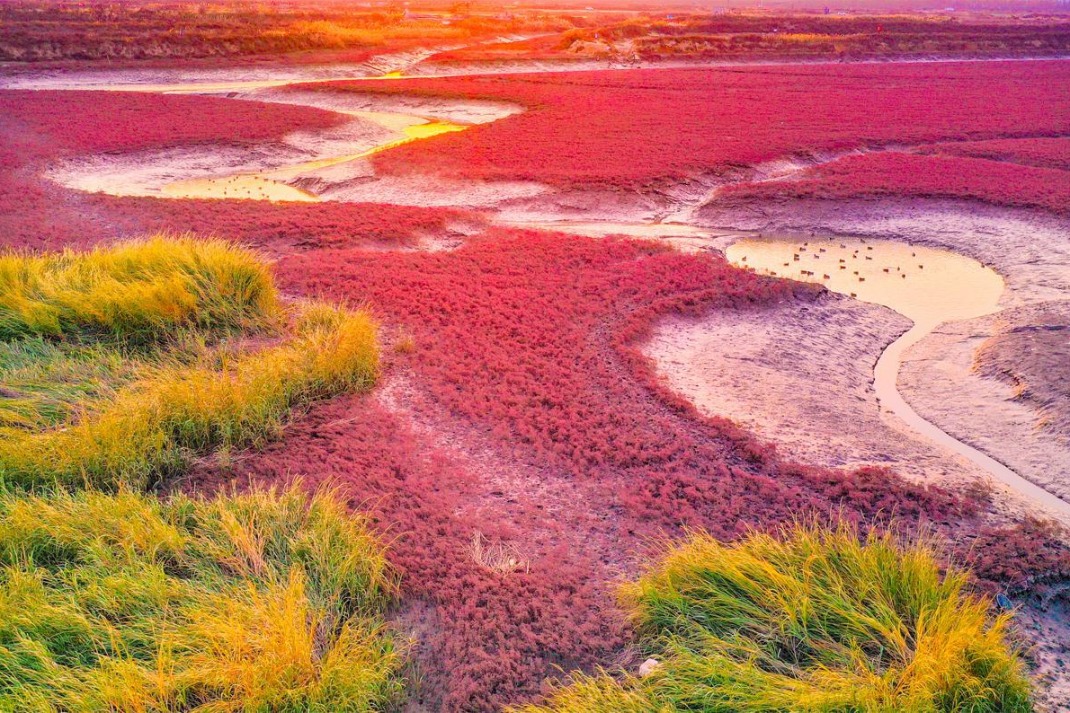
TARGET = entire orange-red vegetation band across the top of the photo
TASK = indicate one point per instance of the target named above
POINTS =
(37, 32)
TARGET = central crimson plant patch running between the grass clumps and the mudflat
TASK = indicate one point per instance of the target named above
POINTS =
(527, 415)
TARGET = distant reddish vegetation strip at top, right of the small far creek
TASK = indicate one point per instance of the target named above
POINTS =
(744, 36)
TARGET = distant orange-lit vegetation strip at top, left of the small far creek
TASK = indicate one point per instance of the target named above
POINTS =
(55, 33)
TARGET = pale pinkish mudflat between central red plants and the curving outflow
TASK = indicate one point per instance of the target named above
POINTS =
(801, 375)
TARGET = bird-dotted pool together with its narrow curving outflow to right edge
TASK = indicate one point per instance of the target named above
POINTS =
(928, 286)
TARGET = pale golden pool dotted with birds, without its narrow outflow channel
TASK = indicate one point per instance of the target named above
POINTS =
(927, 285)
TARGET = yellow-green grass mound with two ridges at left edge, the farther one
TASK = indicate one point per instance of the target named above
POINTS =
(120, 365)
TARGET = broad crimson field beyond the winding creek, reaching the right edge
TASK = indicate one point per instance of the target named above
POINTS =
(582, 129)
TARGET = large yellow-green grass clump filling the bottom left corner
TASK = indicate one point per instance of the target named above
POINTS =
(262, 602)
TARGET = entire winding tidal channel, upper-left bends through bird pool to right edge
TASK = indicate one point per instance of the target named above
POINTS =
(930, 287)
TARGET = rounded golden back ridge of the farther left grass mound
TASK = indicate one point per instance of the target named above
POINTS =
(137, 291)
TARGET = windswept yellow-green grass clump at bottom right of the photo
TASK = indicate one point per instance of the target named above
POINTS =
(815, 621)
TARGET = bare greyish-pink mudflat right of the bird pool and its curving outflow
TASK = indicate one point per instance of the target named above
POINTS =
(940, 378)
